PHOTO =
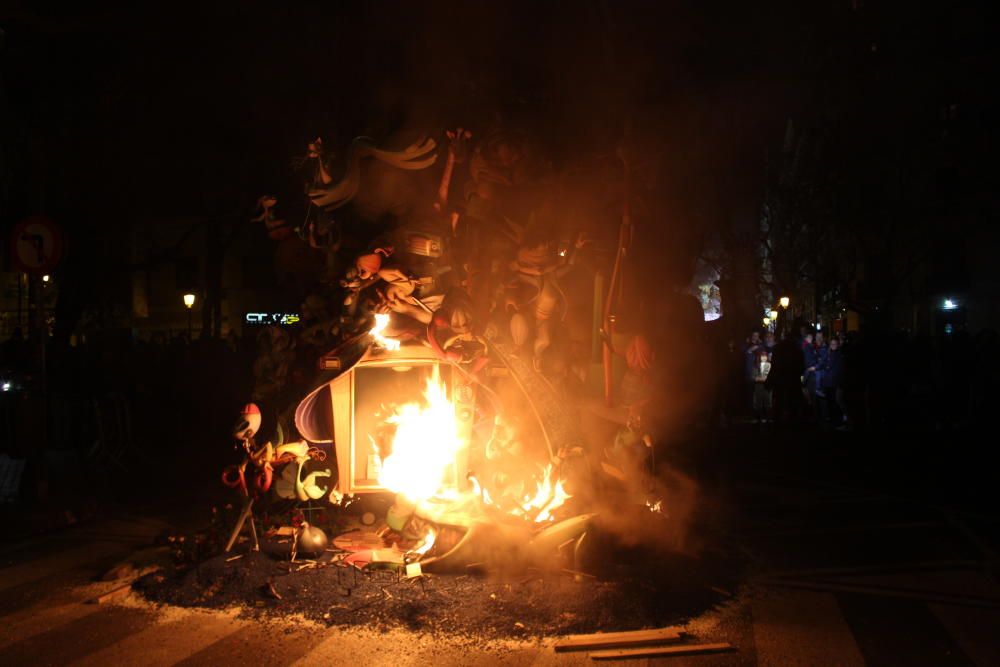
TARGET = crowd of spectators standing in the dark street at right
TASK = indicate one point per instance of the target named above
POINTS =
(893, 380)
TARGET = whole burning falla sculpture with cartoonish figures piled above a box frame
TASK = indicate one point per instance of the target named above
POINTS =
(439, 400)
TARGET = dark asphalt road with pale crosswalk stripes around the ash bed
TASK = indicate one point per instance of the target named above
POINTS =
(849, 567)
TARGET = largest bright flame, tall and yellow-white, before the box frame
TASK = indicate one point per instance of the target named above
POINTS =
(425, 445)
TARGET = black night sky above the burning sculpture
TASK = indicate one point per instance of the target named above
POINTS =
(120, 114)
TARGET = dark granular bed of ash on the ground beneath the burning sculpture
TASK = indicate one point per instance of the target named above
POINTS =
(626, 589)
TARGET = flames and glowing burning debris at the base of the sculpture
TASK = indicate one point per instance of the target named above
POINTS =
(446, 523)
